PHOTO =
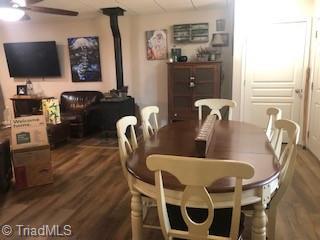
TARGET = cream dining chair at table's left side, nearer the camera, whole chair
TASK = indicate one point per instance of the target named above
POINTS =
(126, 147)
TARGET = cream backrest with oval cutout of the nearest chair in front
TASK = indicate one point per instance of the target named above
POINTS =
(197, 174)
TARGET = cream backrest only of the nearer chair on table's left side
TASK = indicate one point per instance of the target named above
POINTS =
(126, 147)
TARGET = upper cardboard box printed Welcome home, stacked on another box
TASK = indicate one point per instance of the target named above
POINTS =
(29, 131)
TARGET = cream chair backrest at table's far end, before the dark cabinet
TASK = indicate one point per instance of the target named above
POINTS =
(215, 104)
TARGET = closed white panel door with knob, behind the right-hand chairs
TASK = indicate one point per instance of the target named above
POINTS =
(274, 71)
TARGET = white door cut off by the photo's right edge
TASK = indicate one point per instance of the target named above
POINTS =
(314, 127)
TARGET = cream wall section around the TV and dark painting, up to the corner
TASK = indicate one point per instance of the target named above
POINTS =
(60, 32)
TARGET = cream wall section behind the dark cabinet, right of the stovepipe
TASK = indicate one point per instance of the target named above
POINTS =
(150, 77)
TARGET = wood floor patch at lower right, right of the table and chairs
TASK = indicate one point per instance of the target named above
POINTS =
(299, 210)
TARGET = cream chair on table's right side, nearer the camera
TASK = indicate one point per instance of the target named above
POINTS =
(287, 163)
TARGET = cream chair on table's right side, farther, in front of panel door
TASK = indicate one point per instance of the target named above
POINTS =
(274, 114)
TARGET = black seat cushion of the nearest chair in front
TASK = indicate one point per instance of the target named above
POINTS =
(221, 223)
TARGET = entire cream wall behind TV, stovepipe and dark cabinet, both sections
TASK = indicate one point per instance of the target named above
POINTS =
(147, 80)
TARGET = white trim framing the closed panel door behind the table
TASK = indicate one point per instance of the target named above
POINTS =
(241, 77)
